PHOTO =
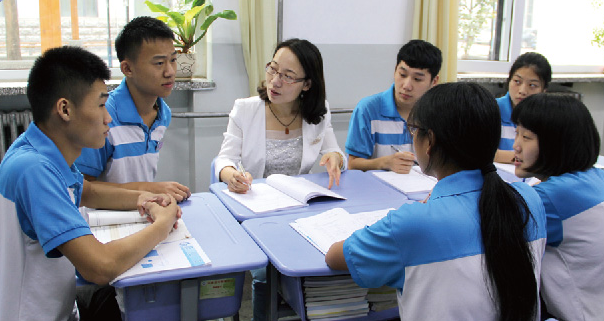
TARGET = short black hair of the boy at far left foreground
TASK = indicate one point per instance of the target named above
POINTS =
(62, 72)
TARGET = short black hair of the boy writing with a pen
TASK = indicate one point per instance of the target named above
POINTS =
(422, 55)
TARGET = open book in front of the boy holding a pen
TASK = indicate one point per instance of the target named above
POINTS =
(413, 183)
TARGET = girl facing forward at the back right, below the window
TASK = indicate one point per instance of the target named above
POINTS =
(530, 74)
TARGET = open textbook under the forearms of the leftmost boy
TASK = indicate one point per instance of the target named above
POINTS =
(179, 250)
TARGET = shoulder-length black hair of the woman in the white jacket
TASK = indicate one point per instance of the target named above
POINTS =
(312, 107)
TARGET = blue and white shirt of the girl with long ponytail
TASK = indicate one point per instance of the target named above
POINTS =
(433, 252)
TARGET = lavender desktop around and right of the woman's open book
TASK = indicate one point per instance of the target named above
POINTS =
(361, 189)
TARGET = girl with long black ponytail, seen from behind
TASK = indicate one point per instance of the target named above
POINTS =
(473, 250)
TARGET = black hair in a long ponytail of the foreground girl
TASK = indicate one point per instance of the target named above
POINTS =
(463, 121)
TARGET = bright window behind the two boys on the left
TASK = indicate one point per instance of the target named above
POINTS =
(94, 26)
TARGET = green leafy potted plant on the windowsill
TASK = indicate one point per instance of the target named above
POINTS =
(184, 21)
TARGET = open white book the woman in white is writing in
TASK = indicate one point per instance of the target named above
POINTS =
(281, 192)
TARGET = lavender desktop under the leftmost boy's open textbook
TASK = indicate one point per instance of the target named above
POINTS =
(225, 242)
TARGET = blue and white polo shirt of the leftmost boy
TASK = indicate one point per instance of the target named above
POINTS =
(39, 199)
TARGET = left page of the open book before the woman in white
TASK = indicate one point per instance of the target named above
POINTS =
(264, 198)
